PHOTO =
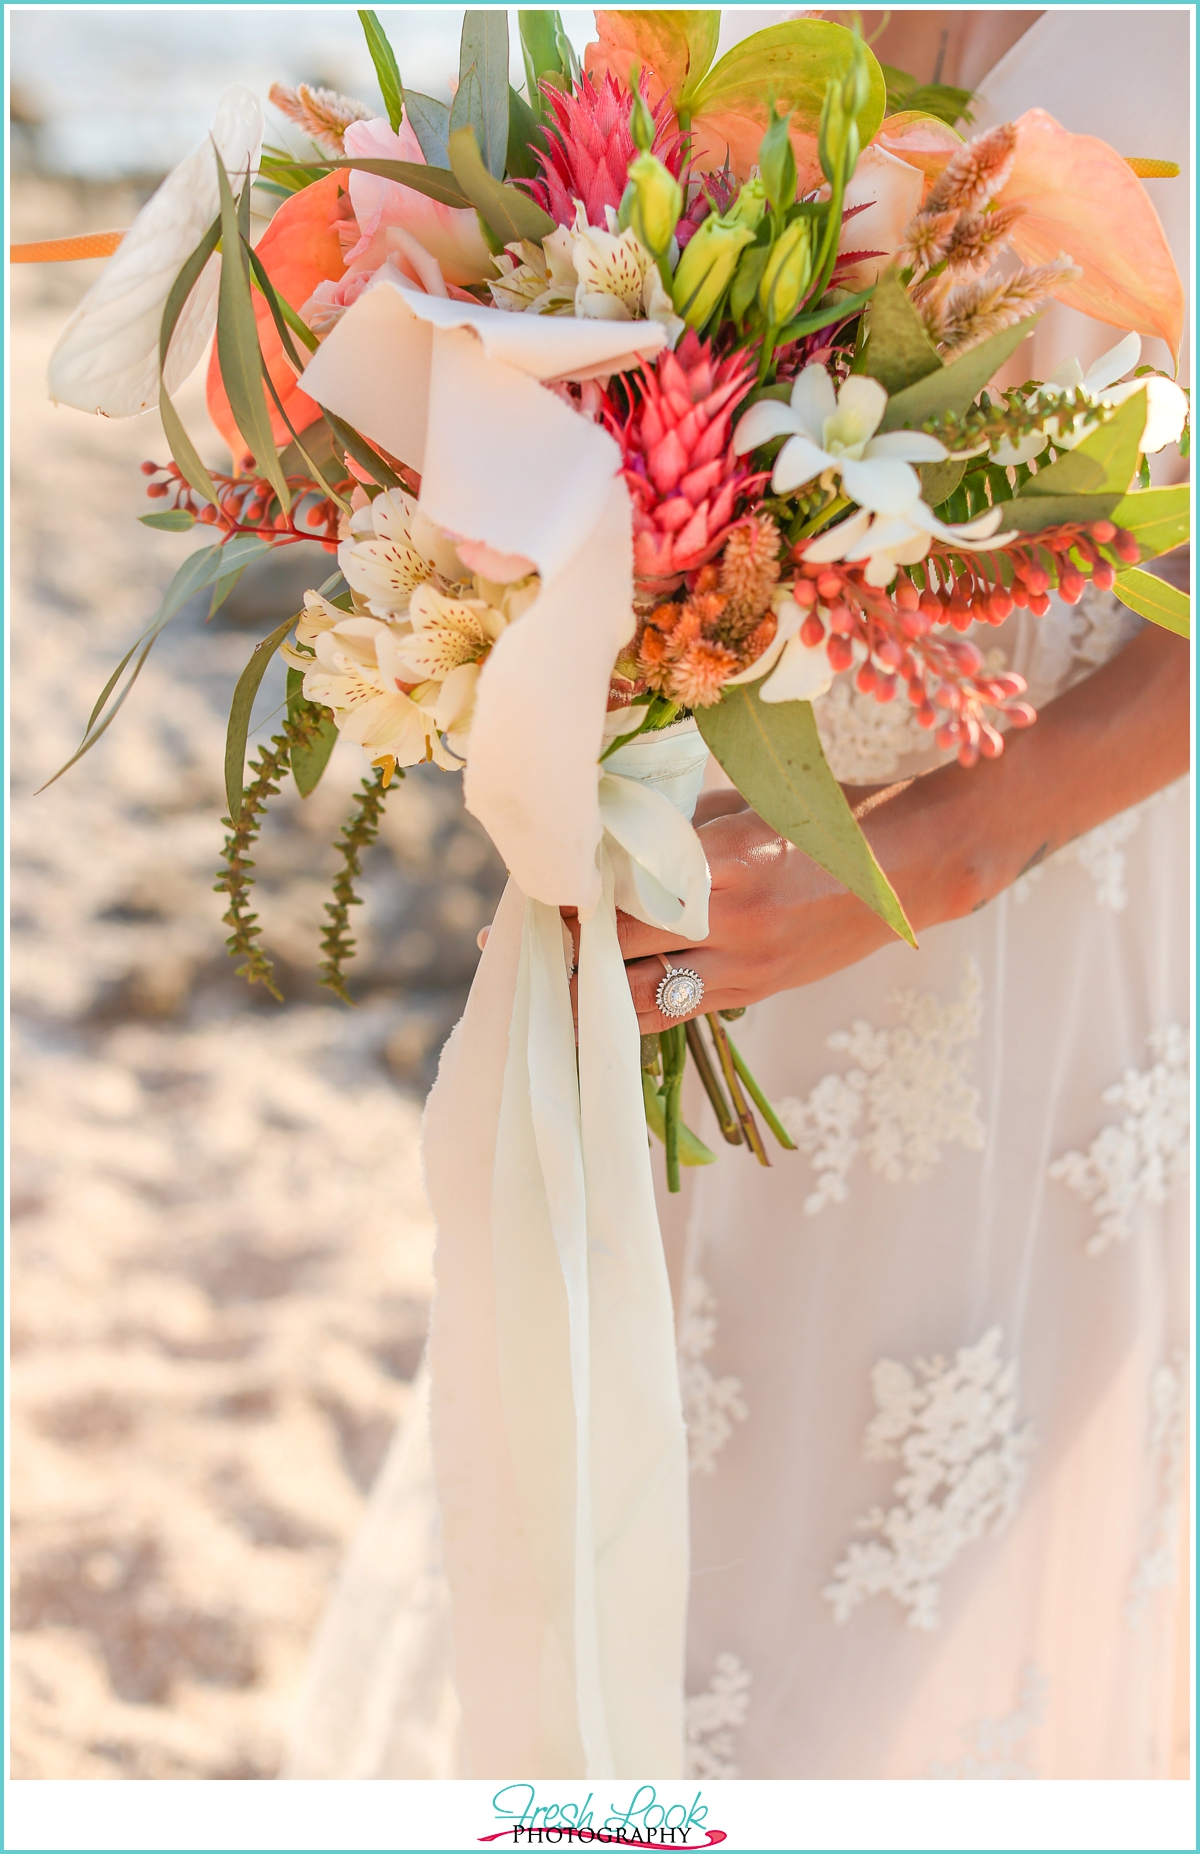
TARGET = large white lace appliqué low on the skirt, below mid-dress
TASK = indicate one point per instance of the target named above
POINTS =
(965, 1454)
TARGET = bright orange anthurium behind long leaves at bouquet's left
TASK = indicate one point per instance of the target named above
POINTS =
(300, 249)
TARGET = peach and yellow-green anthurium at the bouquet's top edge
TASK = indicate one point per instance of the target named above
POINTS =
(726, 105)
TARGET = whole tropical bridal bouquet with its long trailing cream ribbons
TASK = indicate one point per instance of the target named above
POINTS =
(635, 407)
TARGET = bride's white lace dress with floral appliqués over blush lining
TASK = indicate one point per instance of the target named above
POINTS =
(934, 1364)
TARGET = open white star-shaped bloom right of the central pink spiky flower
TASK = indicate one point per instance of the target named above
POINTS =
(836, 433)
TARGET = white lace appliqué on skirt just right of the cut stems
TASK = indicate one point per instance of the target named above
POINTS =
(904, 1100)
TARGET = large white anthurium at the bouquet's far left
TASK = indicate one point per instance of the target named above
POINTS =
(107, 359)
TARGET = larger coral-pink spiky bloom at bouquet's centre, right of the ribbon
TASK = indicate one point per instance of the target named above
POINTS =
(683, 477)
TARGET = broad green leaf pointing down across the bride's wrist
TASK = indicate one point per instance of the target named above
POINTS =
(774, 757)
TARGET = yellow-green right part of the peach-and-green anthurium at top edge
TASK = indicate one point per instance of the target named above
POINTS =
(793, 64)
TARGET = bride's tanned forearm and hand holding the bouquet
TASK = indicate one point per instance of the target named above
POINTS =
(949, 843)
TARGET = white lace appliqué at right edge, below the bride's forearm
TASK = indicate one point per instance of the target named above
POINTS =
(1138, 1160)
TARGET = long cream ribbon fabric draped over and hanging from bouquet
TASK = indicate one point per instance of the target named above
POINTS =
(559, 1440)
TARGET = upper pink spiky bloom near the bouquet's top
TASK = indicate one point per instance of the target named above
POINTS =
(589, 149)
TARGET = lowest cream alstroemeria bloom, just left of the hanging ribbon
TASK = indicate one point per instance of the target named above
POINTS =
(351, 674)
